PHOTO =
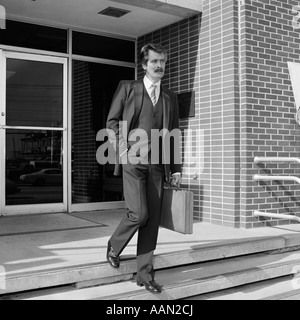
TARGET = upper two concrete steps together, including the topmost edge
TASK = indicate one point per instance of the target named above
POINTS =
(204, 268)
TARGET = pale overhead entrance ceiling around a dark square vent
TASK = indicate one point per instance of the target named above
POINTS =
(83, 14)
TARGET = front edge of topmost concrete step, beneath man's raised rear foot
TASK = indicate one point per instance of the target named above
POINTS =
(98, 274)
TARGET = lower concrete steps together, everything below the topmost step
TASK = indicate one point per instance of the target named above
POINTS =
(213, 279)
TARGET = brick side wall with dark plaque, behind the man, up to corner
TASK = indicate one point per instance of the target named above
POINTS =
(203, 58)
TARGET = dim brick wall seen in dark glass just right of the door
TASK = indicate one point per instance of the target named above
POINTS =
(85, 171)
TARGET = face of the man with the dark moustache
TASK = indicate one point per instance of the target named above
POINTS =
(155, 68)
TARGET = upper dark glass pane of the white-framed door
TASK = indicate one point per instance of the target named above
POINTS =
(34, 90)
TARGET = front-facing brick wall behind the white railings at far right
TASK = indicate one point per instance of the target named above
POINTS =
(268, 128)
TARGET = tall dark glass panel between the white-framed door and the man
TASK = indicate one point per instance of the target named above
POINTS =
(93, 88)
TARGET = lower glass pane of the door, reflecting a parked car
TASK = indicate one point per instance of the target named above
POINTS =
(33, 167)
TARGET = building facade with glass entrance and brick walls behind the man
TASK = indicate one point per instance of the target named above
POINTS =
(228, 61)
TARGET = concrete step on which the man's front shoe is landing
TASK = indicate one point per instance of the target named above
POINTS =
(186, 281)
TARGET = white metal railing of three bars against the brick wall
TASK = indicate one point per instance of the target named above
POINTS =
(259, 177)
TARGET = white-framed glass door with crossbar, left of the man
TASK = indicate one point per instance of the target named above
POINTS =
(33, 133)
